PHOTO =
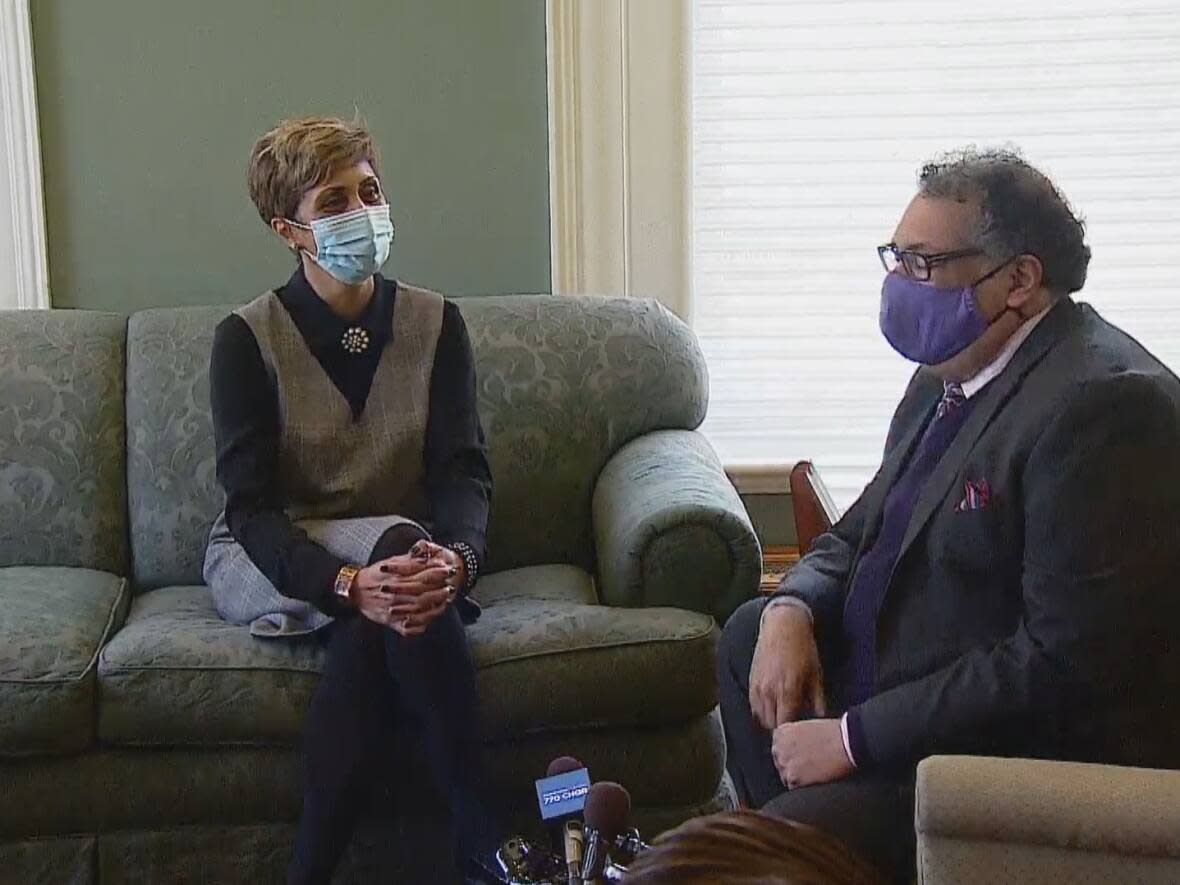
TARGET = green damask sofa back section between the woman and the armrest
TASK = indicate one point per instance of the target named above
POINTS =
(563, 383)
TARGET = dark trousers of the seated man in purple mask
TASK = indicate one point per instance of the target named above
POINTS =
(873, 815)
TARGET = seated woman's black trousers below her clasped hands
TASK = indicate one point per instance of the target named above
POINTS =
(377, 684)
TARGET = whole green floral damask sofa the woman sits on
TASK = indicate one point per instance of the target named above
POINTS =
(145, 740)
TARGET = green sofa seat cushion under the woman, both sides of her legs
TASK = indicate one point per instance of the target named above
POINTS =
(549, 659)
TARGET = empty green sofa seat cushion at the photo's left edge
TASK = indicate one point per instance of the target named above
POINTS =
(54, 621)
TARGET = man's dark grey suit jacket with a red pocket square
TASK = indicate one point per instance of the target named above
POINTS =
(1047, 624)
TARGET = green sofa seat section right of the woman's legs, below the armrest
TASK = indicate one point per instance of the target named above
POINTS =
(561, 661)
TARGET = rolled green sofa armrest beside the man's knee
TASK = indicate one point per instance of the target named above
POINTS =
(671, 529)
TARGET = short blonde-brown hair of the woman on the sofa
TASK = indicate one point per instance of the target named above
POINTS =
(300, 154)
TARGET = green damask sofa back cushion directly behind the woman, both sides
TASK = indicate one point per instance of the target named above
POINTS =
(563, 383)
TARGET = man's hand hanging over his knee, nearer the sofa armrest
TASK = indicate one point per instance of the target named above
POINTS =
(785, 678)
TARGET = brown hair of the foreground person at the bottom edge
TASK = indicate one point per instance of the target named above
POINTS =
(749, 848)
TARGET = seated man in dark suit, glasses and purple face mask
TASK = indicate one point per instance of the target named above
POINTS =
(1007, 585)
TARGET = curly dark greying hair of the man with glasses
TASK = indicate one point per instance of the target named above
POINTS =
(1021, 212)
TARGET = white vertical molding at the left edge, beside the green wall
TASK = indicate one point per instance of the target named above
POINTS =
(24, 265)
